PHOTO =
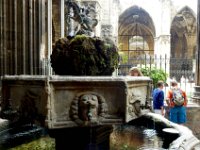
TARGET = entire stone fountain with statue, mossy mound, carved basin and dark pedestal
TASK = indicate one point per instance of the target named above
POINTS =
(79, 105)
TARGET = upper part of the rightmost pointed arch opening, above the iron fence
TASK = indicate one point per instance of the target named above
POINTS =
(183, 34)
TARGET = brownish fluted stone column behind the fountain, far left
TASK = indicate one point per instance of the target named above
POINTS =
(25, 37)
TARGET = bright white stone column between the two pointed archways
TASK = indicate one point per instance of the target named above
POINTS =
(162, 39)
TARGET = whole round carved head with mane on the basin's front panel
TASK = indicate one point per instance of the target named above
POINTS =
(88, 108)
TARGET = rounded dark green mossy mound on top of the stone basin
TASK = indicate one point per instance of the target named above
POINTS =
(83, 55)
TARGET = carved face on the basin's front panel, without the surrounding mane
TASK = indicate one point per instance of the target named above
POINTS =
(88, 106)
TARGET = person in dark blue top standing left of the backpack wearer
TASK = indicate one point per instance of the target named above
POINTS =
(158, 99)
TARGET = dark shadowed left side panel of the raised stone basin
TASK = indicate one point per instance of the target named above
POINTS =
(24, 98)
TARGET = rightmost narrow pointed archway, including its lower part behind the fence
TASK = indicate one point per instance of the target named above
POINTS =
(183, 44)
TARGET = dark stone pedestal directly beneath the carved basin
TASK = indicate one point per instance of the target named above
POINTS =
(82, 138)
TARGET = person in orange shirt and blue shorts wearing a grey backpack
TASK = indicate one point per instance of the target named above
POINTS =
(177, 103)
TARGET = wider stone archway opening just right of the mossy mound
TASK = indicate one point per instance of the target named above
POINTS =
(136, 34)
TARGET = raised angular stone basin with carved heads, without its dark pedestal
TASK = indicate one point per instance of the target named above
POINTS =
(68, 101)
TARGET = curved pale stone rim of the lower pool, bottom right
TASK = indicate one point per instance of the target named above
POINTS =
(175, 136)
